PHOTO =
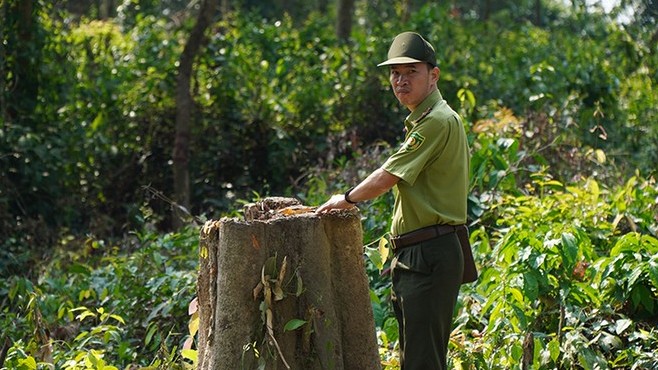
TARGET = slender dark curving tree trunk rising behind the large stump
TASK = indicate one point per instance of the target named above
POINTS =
(184, 112)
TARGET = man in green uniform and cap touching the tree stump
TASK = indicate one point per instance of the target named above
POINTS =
(430, 176)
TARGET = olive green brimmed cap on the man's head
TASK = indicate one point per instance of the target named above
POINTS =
(410, 47)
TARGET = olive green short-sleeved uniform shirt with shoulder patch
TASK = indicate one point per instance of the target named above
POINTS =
(433, 165)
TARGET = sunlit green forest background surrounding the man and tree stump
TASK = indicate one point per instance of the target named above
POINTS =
(127, 124)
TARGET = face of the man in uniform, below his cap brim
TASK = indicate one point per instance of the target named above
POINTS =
(413, 82)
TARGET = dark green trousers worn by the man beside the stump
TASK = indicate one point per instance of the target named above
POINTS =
(426, 281)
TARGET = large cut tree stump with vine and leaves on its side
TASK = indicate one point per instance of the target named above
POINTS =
(285, 289)
